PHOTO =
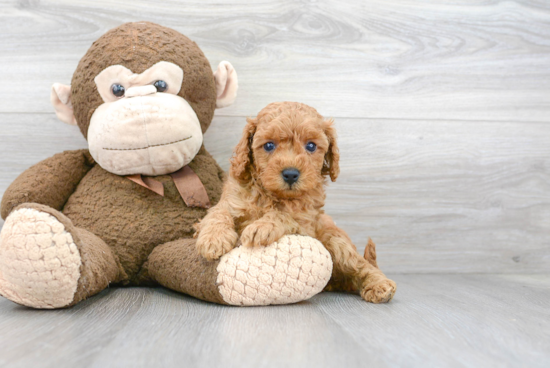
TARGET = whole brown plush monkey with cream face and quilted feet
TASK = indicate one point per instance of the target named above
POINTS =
(122, 212)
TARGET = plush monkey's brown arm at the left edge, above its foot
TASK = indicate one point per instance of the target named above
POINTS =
(50, 182)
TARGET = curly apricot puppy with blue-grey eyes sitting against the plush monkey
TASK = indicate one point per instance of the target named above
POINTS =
(276, 186)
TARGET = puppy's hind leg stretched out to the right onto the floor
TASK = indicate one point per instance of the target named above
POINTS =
(372, 284)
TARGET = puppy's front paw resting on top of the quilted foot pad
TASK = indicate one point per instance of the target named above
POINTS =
(268, 229)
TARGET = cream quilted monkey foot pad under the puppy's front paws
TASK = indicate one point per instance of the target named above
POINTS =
(291, 270)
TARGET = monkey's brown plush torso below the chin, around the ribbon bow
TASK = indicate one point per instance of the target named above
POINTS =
(137, 219)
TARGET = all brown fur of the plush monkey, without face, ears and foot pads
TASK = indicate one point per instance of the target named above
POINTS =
(116, 223)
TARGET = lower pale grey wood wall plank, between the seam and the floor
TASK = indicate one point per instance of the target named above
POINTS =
(453, 197)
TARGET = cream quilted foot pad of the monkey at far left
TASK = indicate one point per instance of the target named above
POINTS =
(39, 261)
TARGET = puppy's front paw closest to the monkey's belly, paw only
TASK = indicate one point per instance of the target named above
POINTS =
(214, 243)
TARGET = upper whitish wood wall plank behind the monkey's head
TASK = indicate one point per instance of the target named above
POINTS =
(407, 59)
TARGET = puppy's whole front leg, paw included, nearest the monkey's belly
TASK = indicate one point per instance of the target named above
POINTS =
(216, 233)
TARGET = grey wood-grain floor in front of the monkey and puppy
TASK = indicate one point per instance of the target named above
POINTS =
(435, 320)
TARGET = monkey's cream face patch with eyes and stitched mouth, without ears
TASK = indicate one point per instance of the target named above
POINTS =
(143, 126)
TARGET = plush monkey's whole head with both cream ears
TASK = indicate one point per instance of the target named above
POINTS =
(142, 96)
